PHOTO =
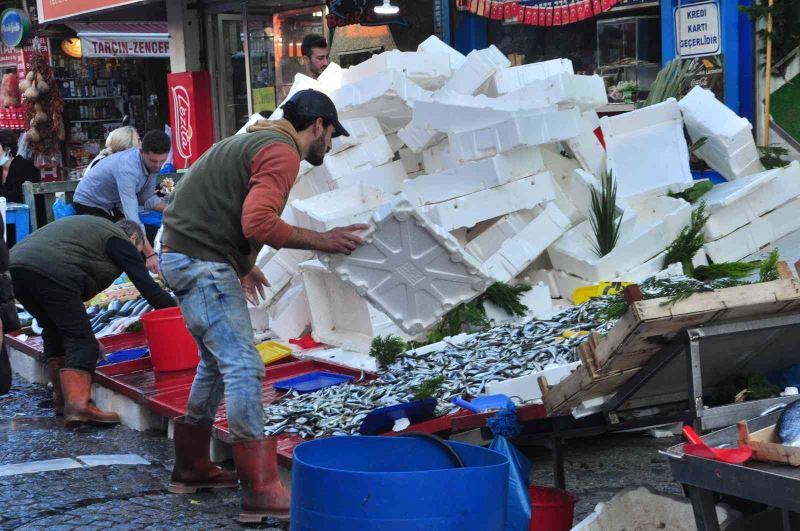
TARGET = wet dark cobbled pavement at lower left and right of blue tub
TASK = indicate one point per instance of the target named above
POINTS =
(135, 496)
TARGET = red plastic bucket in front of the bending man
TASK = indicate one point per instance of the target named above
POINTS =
(172, 347)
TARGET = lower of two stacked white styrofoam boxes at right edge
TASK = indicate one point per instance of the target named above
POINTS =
(760, 232)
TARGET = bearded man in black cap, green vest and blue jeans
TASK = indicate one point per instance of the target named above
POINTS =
(224, 210)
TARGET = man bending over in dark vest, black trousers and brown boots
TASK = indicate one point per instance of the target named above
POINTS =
(54, 270)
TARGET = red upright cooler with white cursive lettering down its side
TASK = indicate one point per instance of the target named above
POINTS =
(192, 123)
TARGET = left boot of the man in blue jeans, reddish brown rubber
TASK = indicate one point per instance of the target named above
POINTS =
(193, 467)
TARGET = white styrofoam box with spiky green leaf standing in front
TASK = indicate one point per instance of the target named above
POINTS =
(644, 234)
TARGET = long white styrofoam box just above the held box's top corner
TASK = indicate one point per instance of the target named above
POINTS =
(474, 176)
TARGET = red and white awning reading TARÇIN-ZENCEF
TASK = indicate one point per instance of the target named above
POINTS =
(123, 39)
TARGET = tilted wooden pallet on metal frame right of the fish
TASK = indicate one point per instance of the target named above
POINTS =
(649, 325)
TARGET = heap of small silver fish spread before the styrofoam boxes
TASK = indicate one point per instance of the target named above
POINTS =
(495, 355)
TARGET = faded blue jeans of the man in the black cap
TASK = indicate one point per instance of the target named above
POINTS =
(215, 310)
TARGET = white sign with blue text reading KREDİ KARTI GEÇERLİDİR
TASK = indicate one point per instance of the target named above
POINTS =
(697, 29)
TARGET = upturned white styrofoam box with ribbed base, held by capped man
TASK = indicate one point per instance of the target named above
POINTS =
(409, 268)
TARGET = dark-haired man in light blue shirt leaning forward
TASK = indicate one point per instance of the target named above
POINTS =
(125, 181)
